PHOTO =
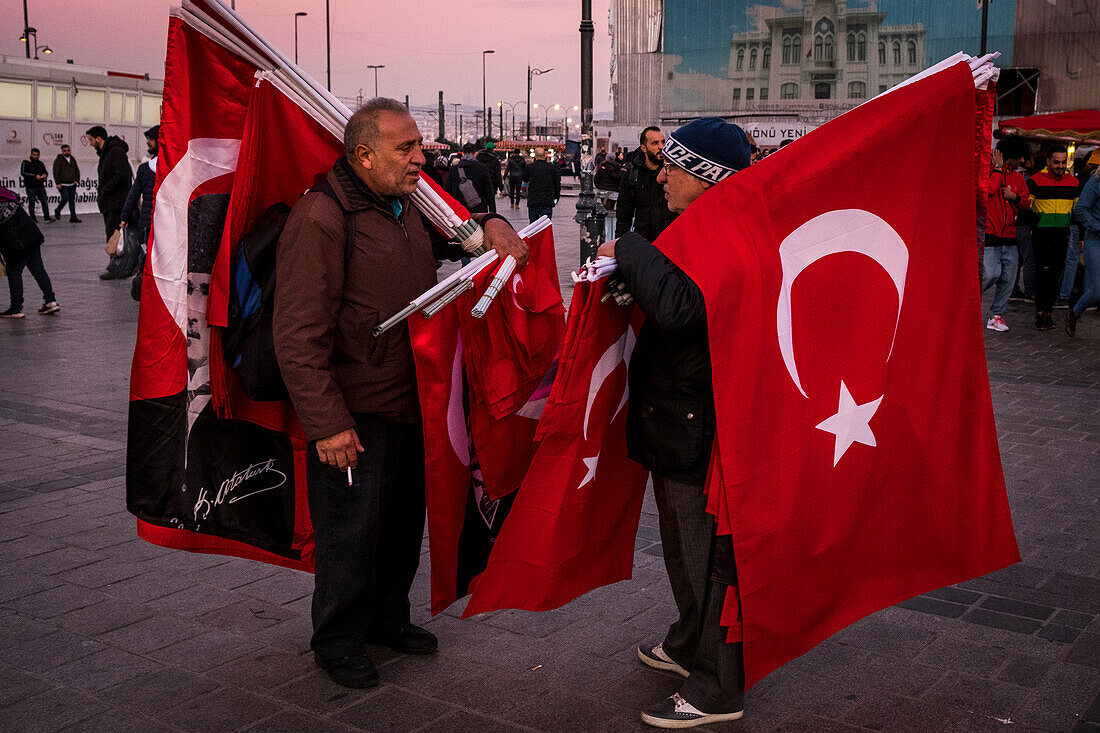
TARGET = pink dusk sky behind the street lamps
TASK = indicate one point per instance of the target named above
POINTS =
(426, 46)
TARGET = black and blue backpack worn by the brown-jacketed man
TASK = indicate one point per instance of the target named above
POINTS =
(249, 340)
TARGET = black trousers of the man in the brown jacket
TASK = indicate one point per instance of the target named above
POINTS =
(367, 537)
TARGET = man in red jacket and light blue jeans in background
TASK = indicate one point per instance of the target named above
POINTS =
(1008, 195)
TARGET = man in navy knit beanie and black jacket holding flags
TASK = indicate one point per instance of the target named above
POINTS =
(670, 430)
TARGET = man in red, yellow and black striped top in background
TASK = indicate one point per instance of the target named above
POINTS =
(1053, 193)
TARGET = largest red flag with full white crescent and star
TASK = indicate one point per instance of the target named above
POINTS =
(857, 461)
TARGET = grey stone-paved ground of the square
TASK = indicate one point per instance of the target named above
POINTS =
(103, 632)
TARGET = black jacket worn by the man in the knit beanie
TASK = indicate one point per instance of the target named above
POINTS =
(672, 420)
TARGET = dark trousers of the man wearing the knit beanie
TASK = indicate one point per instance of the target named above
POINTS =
(697, 641)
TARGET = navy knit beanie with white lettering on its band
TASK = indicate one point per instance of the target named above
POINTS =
(709, 148)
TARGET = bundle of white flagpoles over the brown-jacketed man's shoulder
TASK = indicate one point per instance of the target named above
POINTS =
(321, 104)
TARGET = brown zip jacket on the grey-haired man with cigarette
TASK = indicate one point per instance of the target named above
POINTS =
(326, 304)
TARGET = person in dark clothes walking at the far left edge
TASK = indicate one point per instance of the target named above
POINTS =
(21, 247)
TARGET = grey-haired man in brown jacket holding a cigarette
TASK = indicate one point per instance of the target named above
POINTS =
(356, 393)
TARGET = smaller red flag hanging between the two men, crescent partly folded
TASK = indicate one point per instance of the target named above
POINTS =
(574, 521)
